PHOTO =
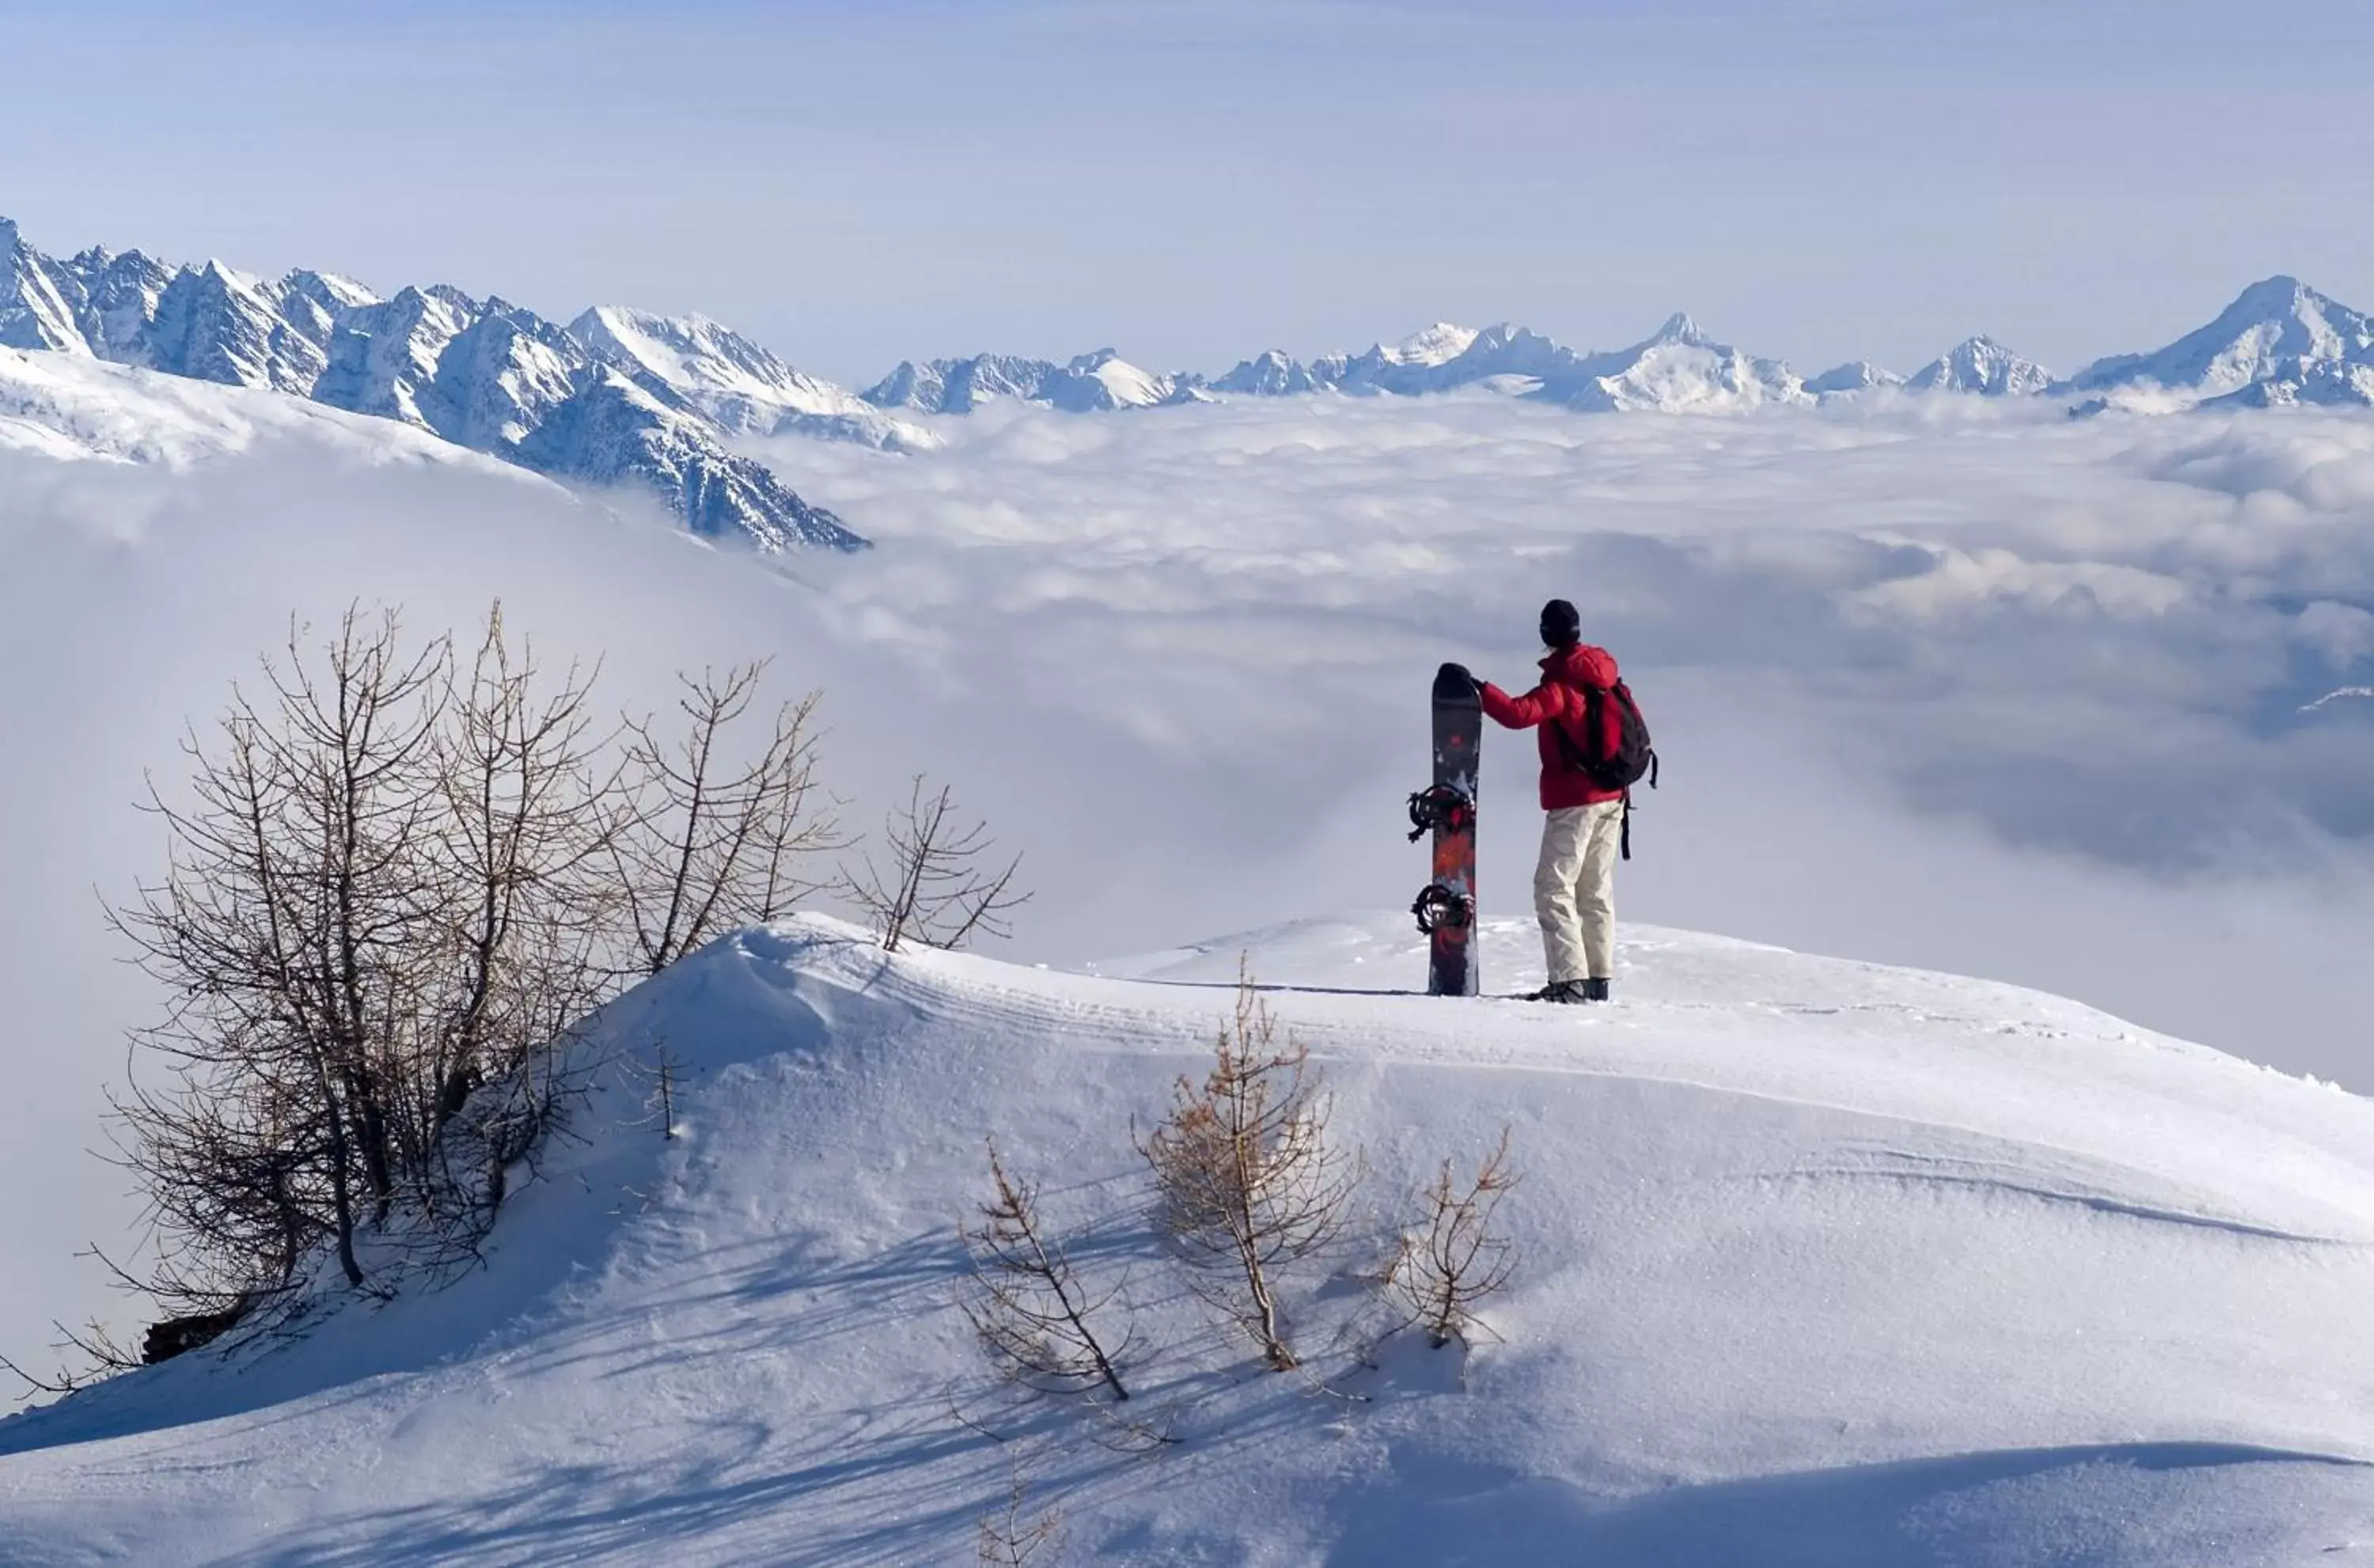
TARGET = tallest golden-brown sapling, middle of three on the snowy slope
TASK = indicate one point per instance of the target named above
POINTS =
(1245, 1173)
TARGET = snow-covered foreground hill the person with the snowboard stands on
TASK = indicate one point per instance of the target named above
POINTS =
(1822, 1266)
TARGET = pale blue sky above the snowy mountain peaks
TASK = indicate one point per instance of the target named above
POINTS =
(1195, 181)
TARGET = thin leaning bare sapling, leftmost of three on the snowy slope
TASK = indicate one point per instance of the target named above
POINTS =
(1027, 1299)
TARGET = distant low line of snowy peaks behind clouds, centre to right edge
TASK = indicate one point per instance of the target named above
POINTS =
(2280, 343)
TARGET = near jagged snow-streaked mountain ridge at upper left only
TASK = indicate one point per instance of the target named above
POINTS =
(616, 397)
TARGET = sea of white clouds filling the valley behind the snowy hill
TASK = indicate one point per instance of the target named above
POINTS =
(1936, 684)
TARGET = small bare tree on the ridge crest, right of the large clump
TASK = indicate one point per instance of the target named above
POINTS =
(937, 884)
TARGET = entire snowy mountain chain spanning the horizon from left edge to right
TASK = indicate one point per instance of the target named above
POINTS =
(628, 397)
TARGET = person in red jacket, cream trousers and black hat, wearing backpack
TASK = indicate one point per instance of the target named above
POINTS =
(1582, 836)
